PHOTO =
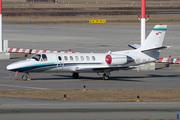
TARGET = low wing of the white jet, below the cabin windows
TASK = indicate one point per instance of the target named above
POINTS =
(102, 69)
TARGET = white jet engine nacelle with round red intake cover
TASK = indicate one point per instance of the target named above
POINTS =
(113, 59)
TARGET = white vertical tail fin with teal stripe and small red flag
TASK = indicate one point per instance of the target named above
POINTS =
(155, 38)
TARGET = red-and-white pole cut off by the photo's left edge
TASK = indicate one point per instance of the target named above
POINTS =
(1, 42)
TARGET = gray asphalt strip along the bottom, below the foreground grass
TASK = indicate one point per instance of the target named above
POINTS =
(67, 110)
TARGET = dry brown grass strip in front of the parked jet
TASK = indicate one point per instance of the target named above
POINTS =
(115, 95)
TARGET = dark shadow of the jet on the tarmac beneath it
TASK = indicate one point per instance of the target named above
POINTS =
(111, 78)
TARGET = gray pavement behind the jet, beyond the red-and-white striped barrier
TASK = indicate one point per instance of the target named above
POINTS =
(85, 38)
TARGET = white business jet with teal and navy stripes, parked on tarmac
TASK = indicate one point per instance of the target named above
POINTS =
(103, 63)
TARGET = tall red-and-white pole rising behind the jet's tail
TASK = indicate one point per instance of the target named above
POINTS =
(143, 21)
